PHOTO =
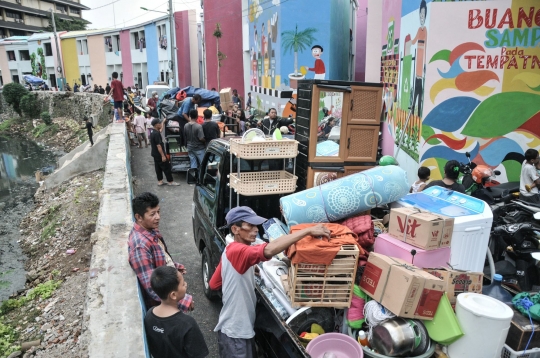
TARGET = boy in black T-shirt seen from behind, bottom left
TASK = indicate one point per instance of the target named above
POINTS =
(172, 333)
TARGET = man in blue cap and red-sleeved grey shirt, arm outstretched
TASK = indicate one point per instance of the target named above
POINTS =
(235, 276)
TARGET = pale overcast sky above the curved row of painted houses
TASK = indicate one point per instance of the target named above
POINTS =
(129, 13)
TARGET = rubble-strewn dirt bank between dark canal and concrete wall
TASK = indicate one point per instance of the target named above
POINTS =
(61, 220)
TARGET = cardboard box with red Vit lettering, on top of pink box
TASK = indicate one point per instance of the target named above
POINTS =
(422, 229)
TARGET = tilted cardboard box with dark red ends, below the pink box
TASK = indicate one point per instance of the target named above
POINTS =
(404, 289)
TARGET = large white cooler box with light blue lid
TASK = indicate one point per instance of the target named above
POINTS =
(472, 223)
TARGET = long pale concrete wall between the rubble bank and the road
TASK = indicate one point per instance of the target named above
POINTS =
(113, 315)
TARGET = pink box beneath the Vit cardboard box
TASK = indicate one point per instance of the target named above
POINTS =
(387, 245)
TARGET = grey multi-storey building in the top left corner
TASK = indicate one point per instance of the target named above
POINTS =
(25, 17)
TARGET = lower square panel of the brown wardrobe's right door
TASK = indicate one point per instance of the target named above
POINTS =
(362, 142)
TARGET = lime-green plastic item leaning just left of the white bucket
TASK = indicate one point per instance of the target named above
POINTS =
(444, 328)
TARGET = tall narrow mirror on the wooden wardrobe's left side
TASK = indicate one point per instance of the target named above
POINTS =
(329, 123)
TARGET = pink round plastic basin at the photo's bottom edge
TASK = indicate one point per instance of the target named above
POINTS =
(341, 345)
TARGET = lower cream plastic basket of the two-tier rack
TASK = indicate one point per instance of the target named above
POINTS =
(263, 183)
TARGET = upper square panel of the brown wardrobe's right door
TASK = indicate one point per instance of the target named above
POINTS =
(365, 105)
